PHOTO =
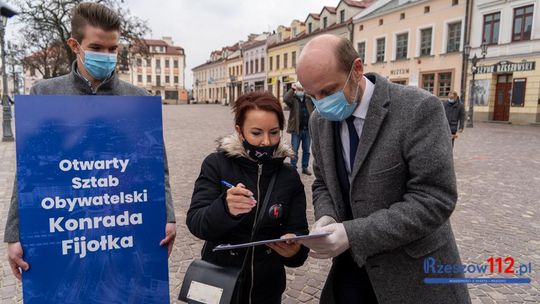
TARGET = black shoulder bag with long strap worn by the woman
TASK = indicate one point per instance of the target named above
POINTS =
(208, 283)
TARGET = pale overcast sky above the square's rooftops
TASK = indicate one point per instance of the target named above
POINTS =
(201, 26)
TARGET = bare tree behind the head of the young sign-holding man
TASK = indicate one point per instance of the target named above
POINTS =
(46, 26)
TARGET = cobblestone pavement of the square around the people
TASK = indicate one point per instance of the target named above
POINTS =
(497, 214)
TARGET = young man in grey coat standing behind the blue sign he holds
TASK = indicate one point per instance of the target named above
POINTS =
(95, 35)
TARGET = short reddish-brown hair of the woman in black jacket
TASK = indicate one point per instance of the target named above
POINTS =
(257, 101)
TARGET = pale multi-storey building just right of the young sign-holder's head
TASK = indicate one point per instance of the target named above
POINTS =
(161, 73)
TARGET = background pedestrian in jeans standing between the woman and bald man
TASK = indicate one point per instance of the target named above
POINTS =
(301, 107)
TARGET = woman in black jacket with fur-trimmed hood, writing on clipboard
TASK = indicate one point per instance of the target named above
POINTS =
(222, 215)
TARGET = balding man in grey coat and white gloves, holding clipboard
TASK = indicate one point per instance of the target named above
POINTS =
(384, 184)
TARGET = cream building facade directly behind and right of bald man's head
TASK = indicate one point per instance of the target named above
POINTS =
(414, 42)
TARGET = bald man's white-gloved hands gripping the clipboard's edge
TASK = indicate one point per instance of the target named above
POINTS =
(329, 246)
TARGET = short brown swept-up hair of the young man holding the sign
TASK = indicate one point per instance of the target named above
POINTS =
(94, 14)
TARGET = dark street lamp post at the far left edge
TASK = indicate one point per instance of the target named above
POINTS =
(5, 12)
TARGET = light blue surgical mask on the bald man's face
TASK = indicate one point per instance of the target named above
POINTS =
(335, 107)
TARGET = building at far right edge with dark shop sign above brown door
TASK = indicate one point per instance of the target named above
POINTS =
(507, 81)
